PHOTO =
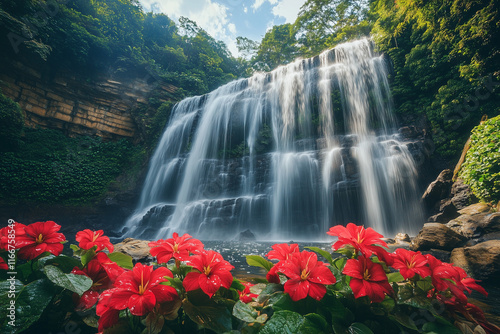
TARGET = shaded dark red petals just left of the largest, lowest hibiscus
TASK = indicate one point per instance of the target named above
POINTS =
(100, 281)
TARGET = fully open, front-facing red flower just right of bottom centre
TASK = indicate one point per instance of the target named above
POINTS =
(306, 276)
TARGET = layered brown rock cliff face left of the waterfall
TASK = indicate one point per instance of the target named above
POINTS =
(101, 107)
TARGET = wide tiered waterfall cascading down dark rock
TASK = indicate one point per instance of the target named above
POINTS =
(286, 154)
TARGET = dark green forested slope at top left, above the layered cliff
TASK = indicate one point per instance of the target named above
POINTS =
(117, 37)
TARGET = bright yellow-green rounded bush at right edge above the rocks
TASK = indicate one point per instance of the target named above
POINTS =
(481, 169)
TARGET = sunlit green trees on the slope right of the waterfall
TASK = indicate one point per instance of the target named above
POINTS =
(444, 58)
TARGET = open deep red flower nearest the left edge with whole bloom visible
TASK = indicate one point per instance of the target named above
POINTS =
(40, 237)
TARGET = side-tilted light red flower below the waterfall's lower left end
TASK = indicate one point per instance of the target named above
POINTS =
(177, 247)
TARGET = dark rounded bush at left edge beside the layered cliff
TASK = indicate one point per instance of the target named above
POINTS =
(11, 123)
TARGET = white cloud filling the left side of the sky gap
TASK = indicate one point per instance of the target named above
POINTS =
(211, 16)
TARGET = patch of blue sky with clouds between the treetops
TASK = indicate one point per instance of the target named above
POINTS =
(226, 19)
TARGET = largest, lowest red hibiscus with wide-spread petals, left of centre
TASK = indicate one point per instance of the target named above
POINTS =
(140, 290)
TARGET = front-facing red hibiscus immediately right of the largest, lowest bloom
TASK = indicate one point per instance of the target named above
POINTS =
(212, 273)
